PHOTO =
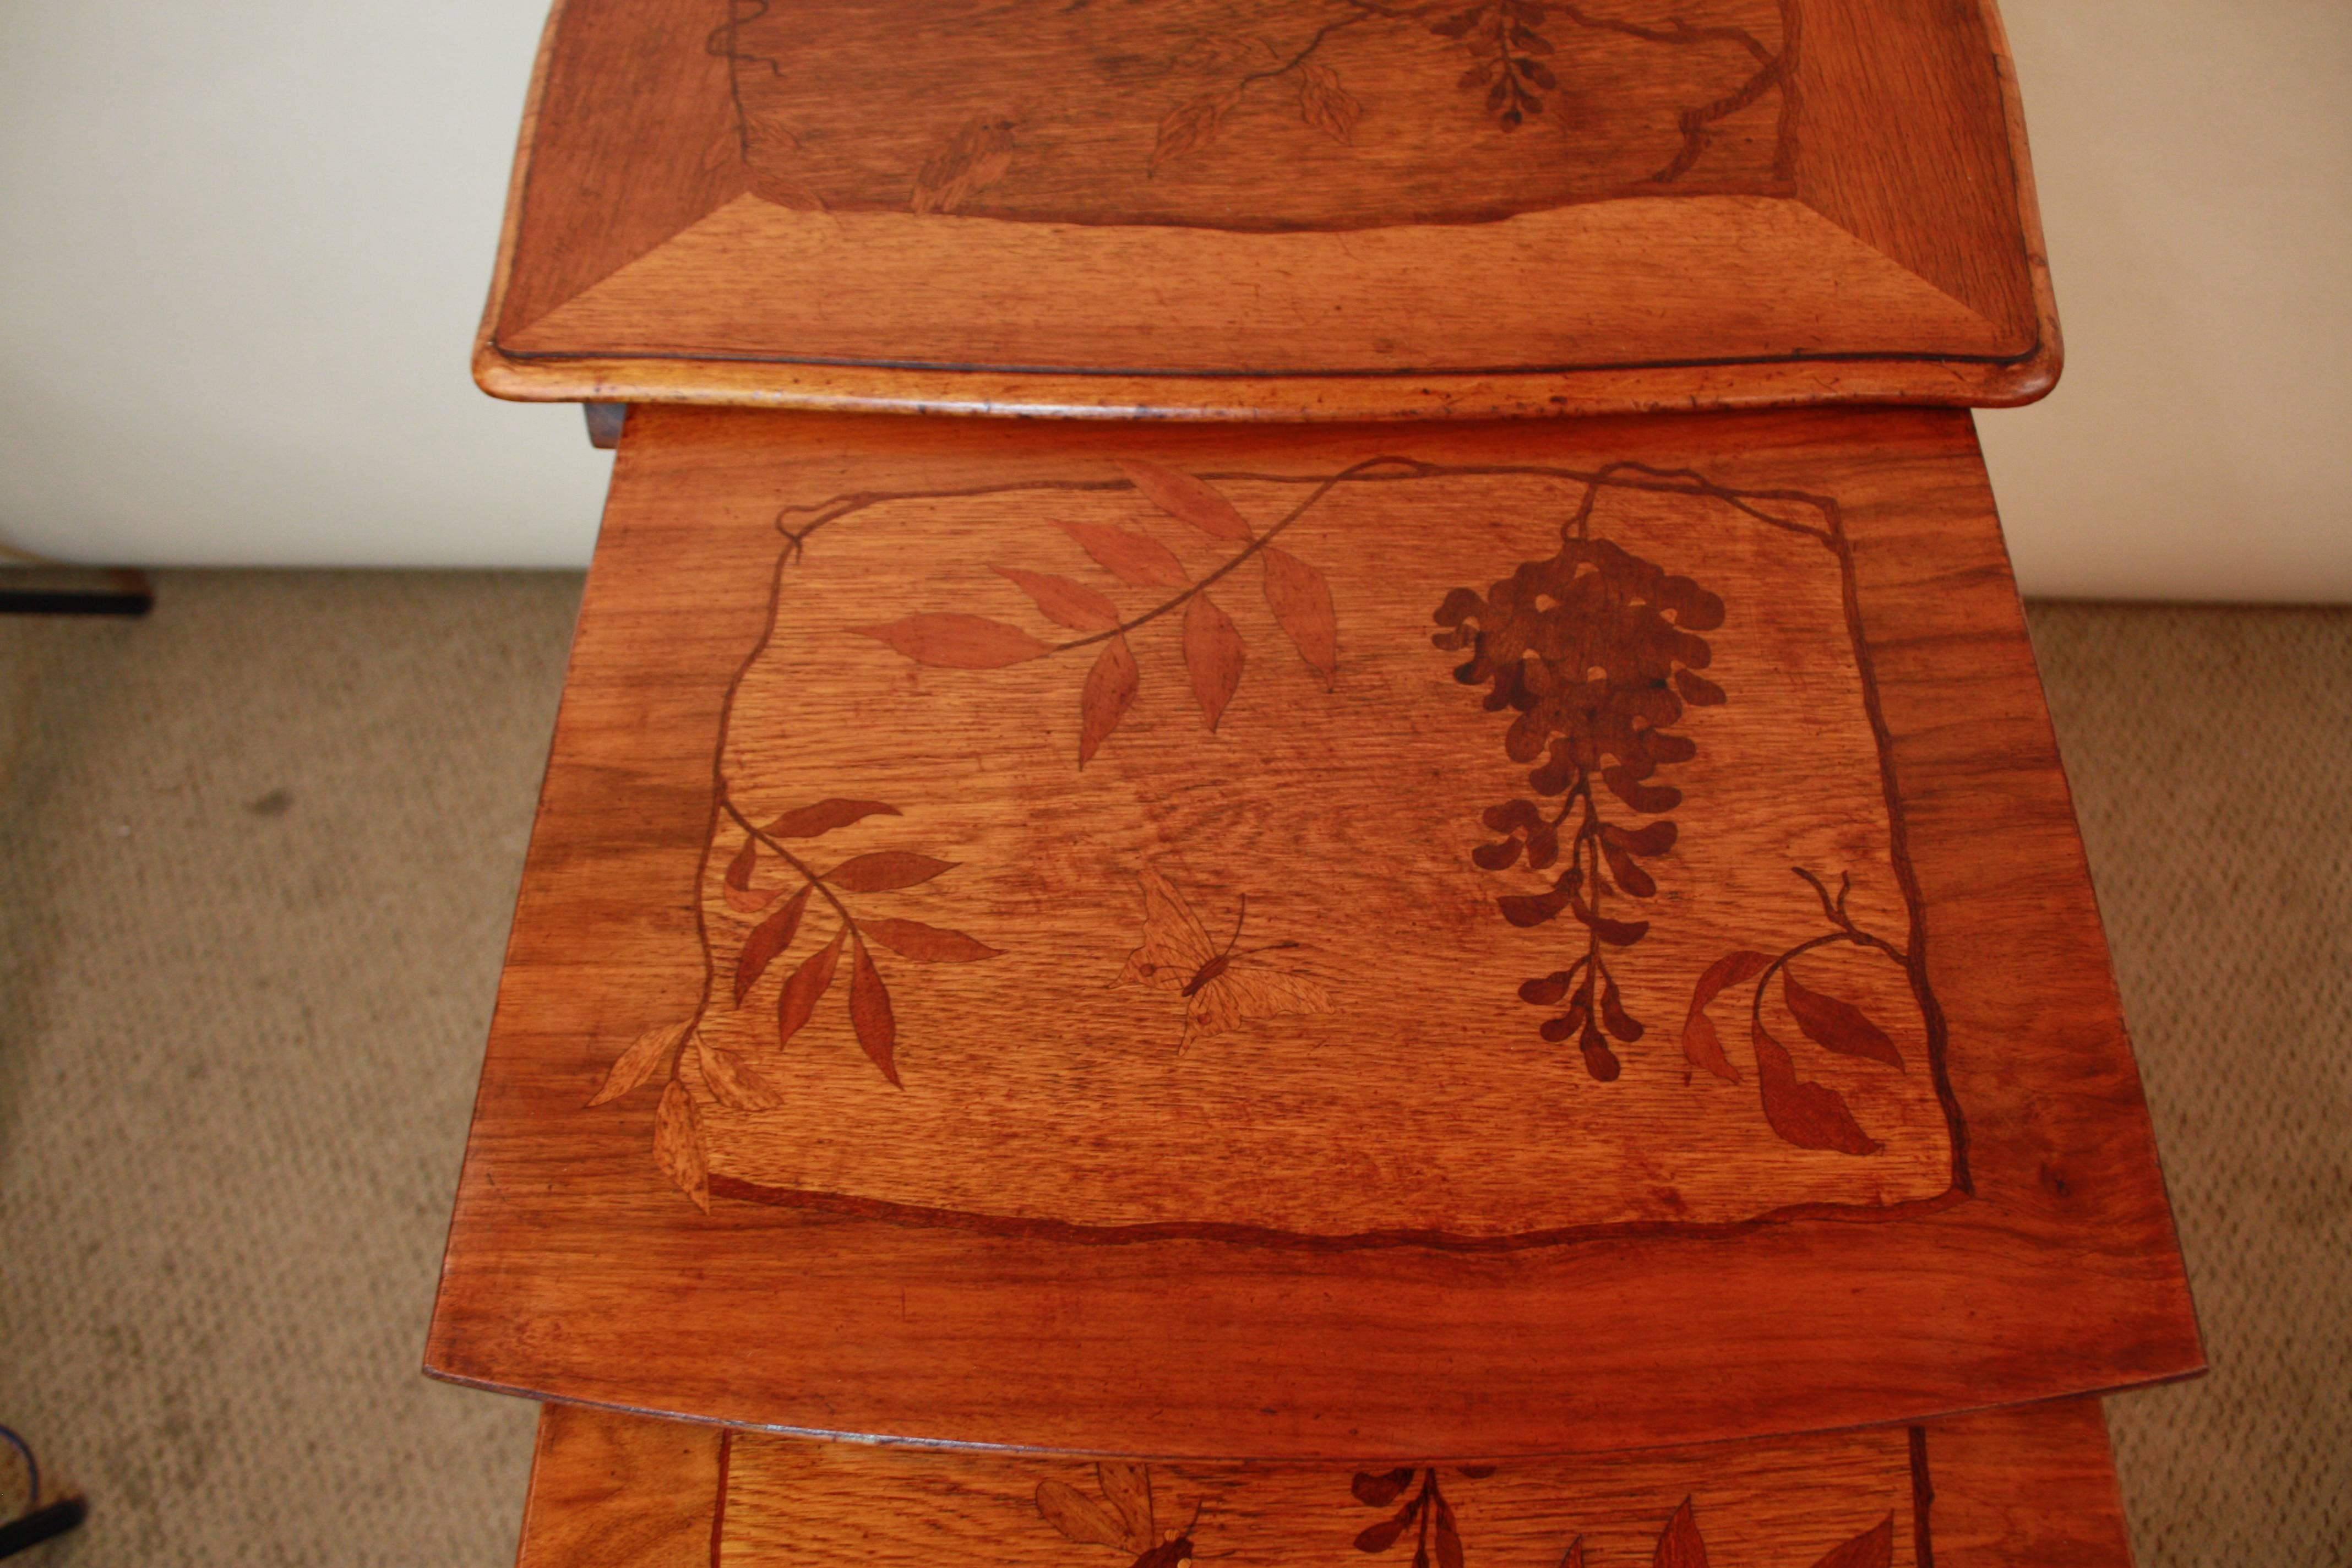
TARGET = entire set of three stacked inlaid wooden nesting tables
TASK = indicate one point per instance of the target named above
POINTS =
(1229, 979)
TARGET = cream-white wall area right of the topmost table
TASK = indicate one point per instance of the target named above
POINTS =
(2196, 163)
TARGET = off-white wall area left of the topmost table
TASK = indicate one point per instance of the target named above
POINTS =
(243, 246)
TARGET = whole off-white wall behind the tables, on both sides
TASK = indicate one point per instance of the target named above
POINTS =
(243, 248)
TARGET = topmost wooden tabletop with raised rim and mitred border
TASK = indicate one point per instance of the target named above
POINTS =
(1255, 213)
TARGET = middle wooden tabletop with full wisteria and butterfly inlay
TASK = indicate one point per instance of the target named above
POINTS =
(860, 840)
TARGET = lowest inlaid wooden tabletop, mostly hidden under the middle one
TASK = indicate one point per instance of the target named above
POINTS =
(2007, 1489)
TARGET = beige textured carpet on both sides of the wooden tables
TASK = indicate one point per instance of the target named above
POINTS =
(255, 876)
